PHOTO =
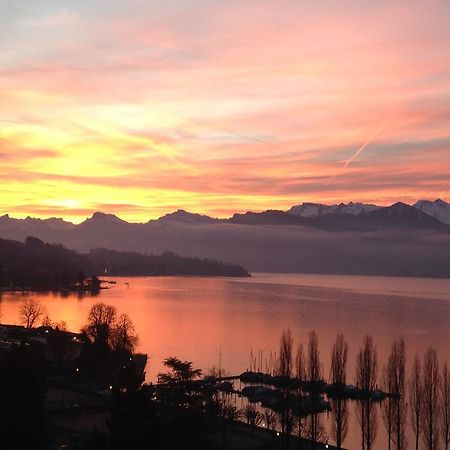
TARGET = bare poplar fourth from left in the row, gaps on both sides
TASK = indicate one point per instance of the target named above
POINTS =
(338, 377)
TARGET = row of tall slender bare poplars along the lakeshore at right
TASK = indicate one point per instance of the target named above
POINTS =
(425, 392)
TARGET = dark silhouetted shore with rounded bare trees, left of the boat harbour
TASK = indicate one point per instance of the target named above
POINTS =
(85, 391)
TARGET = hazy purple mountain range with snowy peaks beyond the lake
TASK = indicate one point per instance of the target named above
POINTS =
(353, 238)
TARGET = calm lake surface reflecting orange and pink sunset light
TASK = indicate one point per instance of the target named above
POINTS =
(199, 319)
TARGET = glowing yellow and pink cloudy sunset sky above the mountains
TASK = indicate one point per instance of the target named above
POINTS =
(140, 107)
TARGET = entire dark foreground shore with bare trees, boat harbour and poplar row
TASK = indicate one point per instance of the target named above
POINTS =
(86, 390)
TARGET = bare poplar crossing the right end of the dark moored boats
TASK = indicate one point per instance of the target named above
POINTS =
(366, 378)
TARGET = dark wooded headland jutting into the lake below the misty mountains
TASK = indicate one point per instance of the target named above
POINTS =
(35, 265)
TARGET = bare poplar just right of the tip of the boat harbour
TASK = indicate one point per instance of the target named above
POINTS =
(395, 406)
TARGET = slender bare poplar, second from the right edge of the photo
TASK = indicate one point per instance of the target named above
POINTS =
(431, 406)
